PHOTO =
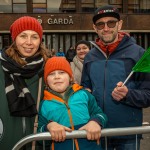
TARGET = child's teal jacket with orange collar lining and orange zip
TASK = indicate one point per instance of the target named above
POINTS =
(74, 110)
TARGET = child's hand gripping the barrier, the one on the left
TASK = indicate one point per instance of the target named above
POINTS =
(57, 131)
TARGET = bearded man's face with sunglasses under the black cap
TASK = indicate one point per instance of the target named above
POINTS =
(108, 34)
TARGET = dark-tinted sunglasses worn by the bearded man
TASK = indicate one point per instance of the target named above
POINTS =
(110, 24)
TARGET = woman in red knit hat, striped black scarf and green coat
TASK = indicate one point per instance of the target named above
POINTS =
(20, 71)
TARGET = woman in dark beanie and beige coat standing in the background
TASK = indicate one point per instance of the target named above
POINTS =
(82, 48)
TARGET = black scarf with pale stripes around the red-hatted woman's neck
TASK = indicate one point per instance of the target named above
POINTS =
(20, 101)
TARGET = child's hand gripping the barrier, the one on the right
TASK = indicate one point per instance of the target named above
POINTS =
(93, 130)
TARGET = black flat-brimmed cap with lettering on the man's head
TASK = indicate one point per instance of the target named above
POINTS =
(106, 11)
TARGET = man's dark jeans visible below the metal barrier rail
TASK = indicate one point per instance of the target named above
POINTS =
(121, 144)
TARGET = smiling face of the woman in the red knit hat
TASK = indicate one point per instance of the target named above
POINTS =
(28, 43)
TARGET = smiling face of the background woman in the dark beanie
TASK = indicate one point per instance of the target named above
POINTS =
(82, 50)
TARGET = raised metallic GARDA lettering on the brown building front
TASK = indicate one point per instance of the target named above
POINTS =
(60, 21)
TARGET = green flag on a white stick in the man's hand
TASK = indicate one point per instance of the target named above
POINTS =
(143, 65)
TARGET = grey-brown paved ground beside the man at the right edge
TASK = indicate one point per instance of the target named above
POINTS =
(145, 143)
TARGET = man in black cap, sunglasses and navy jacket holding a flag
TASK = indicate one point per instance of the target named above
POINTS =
(105, 69)
